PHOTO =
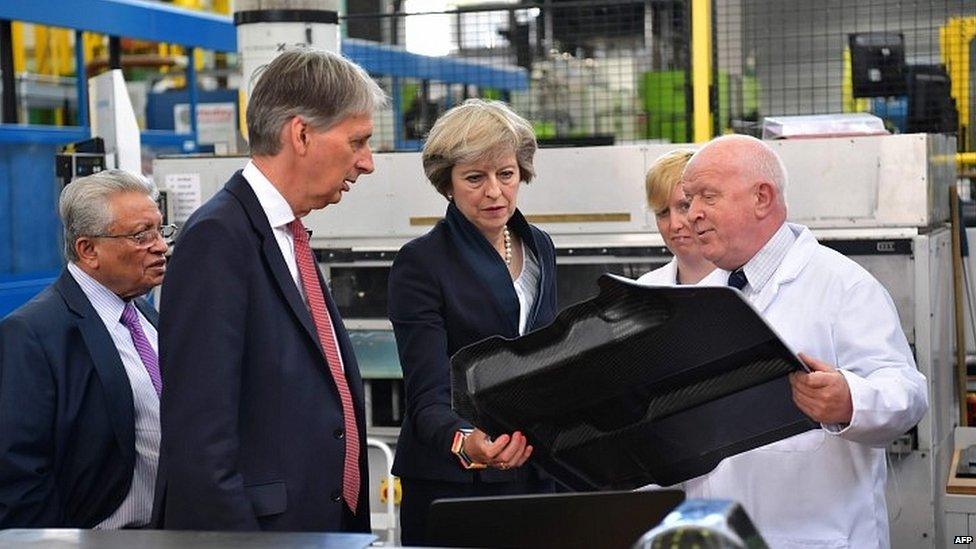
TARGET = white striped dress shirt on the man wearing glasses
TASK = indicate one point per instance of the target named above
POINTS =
(136, 508)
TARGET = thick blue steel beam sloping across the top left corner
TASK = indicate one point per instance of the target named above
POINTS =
(152, 21)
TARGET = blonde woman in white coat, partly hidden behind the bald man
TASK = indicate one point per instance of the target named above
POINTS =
(667, 200)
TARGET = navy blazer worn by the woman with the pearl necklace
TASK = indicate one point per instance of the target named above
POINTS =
(448, 289)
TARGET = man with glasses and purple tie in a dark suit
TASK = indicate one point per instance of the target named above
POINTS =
(79, 373)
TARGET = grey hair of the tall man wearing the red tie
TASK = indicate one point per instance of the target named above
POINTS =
(321, 87)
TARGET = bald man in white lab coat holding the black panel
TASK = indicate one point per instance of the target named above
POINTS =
(825, 487)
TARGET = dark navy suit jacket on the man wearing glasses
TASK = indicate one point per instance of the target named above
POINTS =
(67, 437)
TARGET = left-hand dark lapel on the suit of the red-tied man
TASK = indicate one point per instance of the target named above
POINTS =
(239, 187)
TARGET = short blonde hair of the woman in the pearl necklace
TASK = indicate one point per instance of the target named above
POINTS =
(475, 130)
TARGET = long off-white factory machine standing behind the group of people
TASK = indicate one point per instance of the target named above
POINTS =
(881, 200)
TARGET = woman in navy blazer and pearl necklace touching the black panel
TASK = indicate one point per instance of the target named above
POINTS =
(481, 271)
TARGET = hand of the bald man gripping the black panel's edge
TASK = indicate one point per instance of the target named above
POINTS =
(823, 393)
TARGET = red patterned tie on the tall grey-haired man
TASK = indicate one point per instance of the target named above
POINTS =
(323, 325)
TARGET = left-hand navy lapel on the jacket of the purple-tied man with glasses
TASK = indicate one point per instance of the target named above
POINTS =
(105, 358)
